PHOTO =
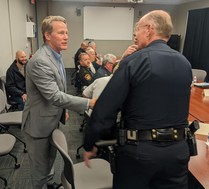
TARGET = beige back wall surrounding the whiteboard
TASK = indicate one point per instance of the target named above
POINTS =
(69, 10)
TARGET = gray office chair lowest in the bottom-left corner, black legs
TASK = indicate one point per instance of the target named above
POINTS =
(7, 142)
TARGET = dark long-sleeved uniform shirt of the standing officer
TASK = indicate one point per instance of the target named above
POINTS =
(152, 88)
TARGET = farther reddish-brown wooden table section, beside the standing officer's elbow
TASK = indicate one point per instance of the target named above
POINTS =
(199, 106)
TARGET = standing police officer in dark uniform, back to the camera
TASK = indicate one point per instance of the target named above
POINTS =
(152, 89)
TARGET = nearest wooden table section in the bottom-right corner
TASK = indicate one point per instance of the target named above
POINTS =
(199, 165)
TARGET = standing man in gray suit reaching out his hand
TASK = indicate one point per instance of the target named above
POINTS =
(47, 101)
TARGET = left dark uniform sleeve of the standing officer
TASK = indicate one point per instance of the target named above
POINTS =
(107, 106)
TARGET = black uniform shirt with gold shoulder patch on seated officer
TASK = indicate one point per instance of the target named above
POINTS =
(86, 76)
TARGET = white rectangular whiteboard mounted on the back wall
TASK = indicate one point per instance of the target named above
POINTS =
(120, 22)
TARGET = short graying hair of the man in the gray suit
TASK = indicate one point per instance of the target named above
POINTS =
(47, 24)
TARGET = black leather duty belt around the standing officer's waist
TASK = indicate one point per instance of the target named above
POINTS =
(158, 135)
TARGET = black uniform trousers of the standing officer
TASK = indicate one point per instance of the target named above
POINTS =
(152, 165)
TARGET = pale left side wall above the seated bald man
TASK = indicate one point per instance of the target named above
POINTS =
(13, 30)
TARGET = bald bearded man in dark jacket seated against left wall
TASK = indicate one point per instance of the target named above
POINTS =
(15, 80)
